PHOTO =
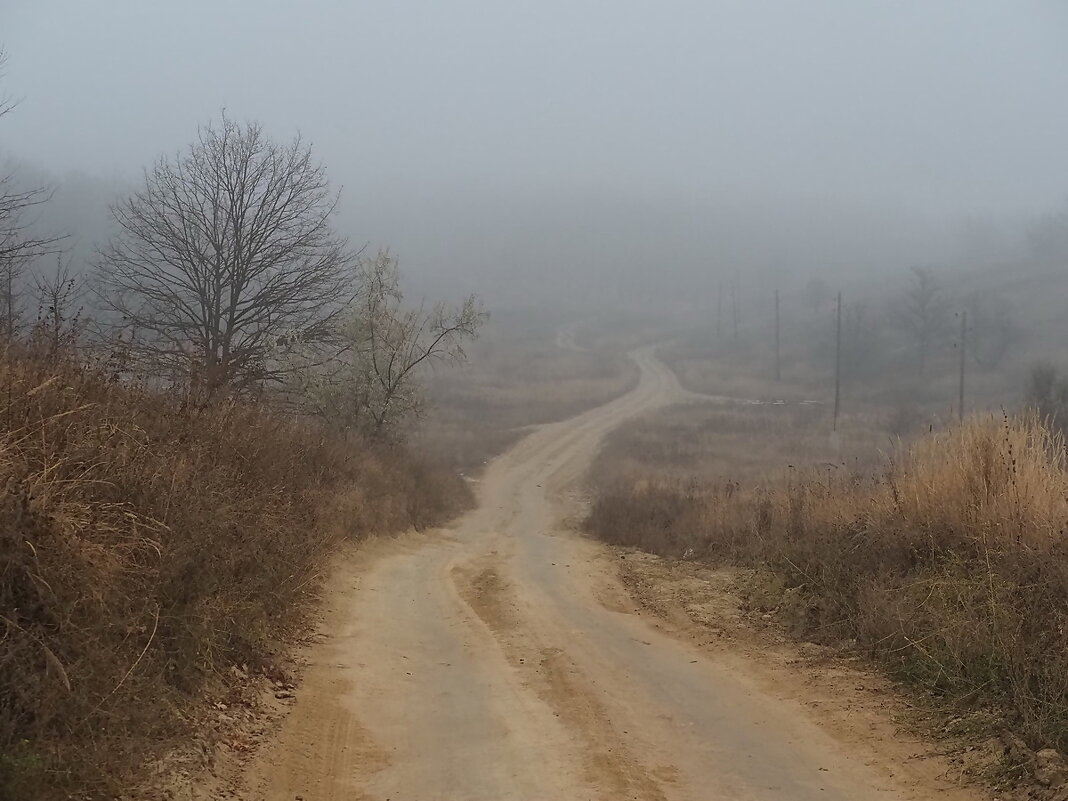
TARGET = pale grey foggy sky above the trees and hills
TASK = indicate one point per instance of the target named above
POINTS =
(594, 153)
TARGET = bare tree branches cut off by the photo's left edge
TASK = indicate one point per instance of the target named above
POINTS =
(21, 243)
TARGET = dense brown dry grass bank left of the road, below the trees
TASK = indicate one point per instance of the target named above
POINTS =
(145, 548)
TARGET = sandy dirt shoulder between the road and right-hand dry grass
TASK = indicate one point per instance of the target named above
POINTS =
(844, 695)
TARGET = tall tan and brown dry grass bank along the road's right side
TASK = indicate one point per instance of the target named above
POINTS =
(951, 566)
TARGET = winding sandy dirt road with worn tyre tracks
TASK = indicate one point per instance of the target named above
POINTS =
(501, 659)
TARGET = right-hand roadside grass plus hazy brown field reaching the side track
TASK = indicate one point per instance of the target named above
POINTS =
(944, 557)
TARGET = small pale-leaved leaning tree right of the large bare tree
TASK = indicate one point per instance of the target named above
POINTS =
(375, 385)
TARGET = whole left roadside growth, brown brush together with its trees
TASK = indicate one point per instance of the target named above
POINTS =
(190, 427)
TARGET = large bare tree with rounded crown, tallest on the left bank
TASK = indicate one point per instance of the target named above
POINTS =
(226, 260)
